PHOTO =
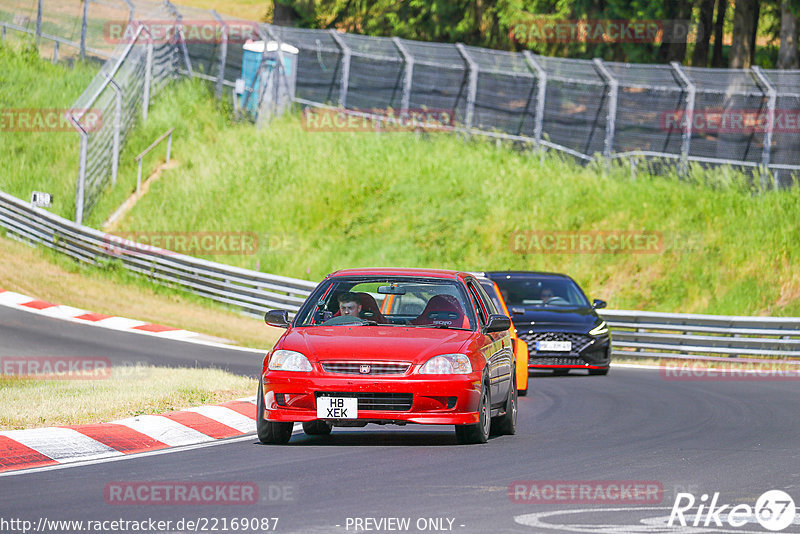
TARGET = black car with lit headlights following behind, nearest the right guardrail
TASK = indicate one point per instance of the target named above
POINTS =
(553, 316)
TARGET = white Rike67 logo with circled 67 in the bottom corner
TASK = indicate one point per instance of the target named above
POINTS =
(774, 510)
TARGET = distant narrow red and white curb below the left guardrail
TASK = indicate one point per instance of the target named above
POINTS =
(30, 304)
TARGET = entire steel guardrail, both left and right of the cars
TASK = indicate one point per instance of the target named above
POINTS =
(635, 334)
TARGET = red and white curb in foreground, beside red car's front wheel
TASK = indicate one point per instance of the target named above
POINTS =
(40, 447)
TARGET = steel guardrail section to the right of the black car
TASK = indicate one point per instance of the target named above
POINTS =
(640, 334)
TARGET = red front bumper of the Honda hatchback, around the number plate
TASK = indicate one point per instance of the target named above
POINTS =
(435, 400)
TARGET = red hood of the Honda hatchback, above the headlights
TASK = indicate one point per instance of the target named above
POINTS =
(392, 343)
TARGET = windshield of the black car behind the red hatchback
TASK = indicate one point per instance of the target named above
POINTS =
(539, 292)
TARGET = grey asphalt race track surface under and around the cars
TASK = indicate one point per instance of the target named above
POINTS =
(738, 438)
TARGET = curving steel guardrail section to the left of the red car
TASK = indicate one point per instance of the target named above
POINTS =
(251, 291)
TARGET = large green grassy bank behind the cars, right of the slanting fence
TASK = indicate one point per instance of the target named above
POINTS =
(324, 201)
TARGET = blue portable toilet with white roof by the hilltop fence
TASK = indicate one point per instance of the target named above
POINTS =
(251, 63)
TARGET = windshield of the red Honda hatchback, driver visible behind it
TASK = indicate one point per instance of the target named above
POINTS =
(398, 301)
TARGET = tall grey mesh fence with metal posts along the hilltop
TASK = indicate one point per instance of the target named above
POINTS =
(664, 115)
